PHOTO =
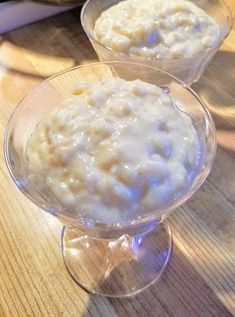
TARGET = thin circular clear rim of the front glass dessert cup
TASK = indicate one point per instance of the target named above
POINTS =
(148, 216)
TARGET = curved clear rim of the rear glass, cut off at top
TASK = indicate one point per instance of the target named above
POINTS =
(91, 37)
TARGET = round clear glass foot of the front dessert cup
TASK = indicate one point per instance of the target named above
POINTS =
(120, 267)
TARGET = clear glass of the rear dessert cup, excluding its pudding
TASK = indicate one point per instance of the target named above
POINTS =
(188, 70)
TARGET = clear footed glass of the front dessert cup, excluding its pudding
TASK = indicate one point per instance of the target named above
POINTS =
(111, 259)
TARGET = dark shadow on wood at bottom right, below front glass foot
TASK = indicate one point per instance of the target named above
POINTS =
(180, 292)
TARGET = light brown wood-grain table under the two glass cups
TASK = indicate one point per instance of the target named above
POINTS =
(200, 278)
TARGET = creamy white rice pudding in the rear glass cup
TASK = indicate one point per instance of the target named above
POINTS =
(157, 29)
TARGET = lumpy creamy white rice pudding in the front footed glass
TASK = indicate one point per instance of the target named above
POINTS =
(114, 151)
